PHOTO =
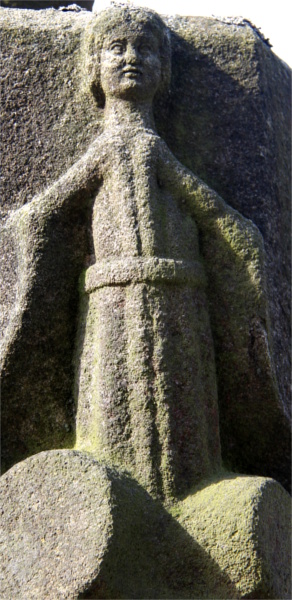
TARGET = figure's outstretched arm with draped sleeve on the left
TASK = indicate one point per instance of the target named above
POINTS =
(30, 230)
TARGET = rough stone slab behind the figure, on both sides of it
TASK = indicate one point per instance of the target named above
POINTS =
(226, 119)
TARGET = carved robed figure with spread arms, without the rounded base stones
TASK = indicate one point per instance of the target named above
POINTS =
(145, 381)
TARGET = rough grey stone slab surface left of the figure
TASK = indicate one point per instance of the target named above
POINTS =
(39, 369)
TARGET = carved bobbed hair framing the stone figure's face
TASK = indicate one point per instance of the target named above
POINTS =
(123, 18)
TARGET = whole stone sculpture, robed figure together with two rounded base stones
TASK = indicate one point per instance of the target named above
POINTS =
(145, 367)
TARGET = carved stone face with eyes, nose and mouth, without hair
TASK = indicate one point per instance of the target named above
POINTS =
(130, 65)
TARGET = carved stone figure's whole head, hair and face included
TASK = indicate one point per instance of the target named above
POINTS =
(128, 54)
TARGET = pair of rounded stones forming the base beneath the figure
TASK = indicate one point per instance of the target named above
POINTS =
(73, 528)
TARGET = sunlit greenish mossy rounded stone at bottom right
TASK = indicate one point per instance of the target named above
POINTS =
(238, 522)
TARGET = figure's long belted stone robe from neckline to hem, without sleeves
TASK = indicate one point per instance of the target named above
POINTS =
(146, 385)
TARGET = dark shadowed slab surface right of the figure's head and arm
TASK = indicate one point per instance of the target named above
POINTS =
(236, 138)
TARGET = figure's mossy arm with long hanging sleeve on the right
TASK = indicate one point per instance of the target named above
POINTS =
(234, 260)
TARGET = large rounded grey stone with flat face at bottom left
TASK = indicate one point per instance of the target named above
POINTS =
(73, 528)
